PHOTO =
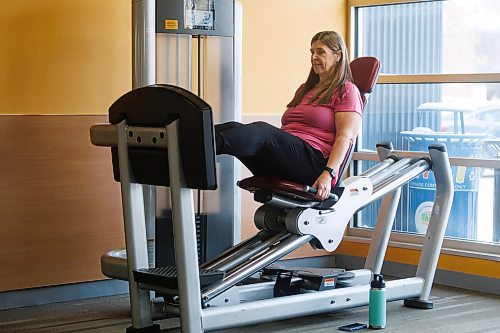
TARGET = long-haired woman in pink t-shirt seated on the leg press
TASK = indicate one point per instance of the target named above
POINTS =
(321, 122)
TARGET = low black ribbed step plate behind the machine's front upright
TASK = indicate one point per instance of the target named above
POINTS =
(167, 276)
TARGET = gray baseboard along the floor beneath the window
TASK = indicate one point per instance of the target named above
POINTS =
(442, 277)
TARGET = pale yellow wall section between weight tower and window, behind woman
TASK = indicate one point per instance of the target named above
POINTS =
(276, 41)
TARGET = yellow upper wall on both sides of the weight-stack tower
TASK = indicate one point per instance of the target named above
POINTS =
(74, 57)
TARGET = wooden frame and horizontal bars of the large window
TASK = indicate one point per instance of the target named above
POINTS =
(468, 248)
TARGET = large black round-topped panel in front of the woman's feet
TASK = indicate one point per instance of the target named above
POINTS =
(158, 106)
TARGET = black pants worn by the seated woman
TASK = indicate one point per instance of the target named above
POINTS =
(269, 151)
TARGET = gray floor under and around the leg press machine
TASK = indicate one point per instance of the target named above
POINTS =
(455, 310)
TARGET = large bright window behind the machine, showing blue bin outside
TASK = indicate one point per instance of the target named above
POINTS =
(440, 82)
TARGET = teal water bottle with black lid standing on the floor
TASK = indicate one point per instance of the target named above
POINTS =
(378, 301)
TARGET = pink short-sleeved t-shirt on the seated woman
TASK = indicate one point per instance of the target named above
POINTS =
(315, 123)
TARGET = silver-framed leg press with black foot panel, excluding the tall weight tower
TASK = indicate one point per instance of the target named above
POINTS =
(163, 135)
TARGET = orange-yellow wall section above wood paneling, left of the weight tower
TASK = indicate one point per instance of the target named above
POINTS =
(63, 56)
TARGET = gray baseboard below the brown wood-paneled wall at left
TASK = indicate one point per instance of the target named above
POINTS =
(61, 293)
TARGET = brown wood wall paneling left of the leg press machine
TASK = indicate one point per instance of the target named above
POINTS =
(60, 210)
